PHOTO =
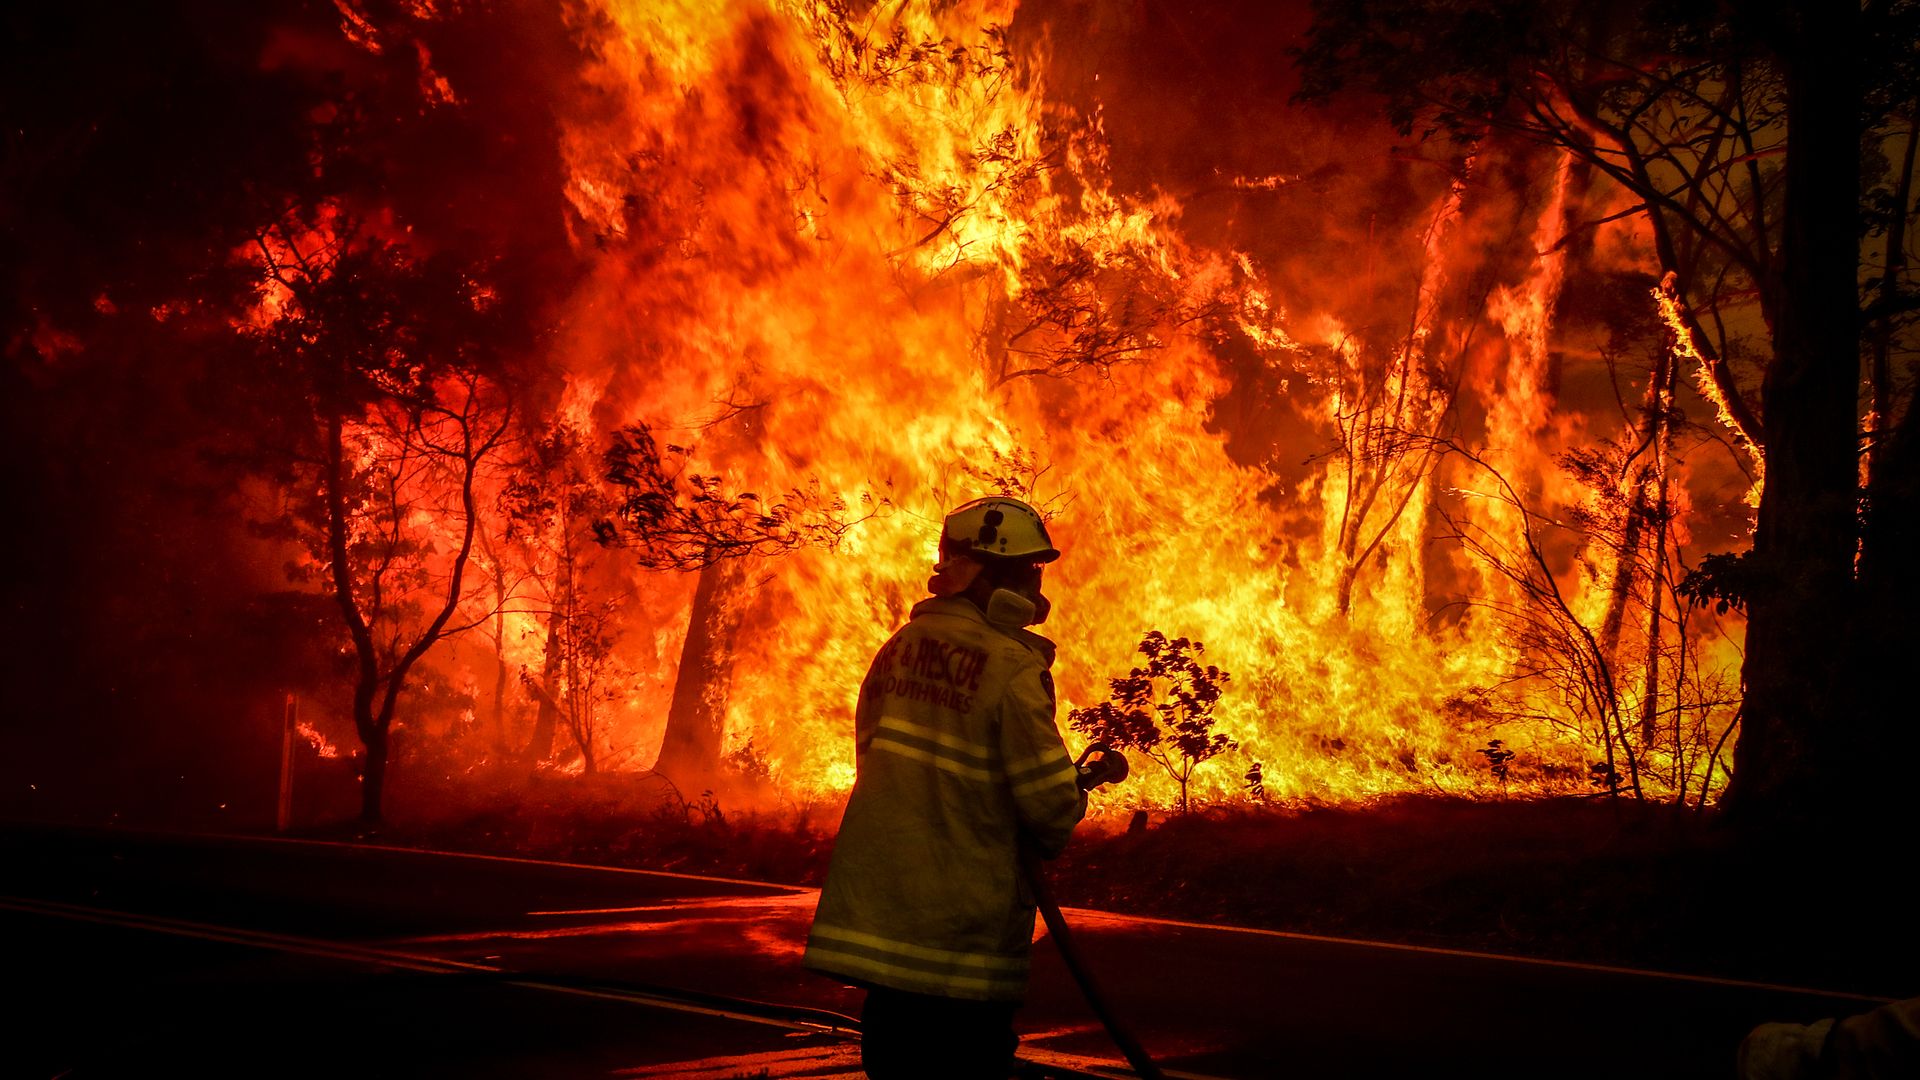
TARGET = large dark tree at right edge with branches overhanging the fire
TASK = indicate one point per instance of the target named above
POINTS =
(1739, 130)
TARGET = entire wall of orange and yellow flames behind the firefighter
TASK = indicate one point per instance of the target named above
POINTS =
(859, 266)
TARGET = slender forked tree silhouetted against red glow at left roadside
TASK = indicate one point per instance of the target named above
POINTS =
(398, 418)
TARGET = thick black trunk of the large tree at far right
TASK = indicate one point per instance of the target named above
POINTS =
(1790, 764)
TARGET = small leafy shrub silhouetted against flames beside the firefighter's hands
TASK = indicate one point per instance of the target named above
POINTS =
(1164, 710)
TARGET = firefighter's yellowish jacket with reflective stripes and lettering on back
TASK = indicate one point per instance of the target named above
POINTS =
(957, 758)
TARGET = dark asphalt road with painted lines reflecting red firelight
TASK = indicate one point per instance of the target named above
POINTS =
(153, 956)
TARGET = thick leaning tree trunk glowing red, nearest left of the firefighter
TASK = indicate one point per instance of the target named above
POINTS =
(696, 722)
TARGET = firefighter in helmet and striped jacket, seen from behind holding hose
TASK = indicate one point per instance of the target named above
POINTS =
(959, 766)
